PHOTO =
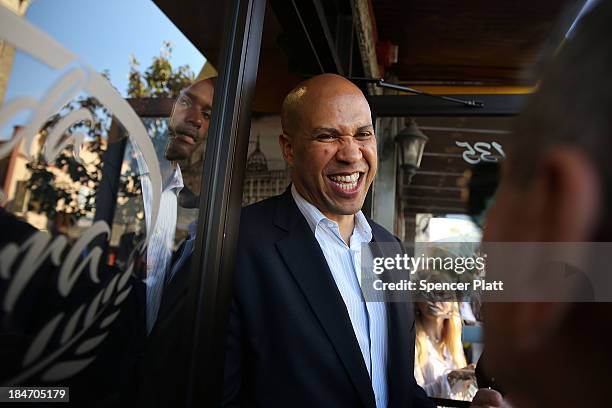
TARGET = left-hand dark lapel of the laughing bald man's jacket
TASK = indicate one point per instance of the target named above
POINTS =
(306, 262)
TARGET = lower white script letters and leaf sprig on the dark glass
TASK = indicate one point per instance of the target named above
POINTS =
(93, 318)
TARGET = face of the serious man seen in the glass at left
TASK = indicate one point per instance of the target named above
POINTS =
(190, 120)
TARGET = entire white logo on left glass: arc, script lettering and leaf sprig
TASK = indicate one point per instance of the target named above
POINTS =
(78, 332)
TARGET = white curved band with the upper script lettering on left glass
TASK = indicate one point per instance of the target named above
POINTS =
(78, 77)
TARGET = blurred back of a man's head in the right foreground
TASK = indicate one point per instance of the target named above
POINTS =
(556, 187)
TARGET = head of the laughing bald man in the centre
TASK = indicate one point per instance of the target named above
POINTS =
(328, 140)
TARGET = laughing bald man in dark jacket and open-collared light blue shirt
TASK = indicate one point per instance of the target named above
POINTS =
(301, 334)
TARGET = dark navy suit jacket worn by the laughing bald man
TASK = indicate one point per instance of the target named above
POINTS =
(291, 342)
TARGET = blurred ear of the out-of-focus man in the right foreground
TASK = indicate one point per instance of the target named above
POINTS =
(567, 189)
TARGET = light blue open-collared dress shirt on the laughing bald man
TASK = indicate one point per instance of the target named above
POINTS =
(369, 319)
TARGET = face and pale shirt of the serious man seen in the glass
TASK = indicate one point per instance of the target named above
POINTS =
(188, 127)
